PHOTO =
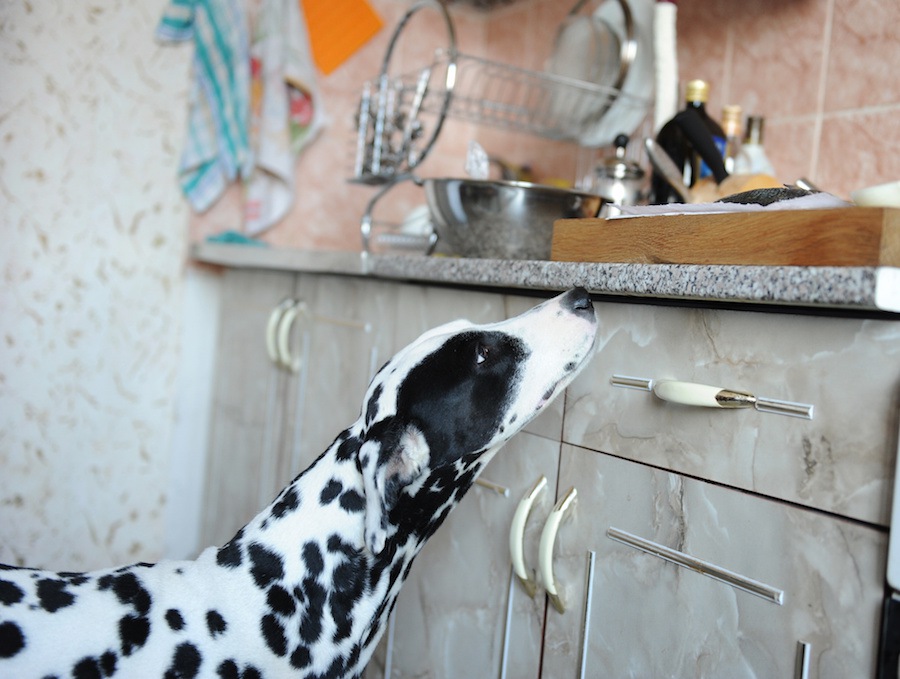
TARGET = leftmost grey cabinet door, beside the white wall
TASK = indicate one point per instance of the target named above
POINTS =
(248, 406)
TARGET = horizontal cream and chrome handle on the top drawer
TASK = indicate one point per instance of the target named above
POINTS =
(708, 396)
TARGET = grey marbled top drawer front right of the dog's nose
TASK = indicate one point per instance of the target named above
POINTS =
(840, 461)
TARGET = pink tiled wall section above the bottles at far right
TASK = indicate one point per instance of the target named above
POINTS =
(823, 72)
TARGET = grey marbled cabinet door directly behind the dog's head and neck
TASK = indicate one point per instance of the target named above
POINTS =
(460, 614)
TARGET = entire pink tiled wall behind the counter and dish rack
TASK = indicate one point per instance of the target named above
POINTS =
(822, 72)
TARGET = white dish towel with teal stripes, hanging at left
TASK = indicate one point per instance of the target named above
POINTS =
(217, 150)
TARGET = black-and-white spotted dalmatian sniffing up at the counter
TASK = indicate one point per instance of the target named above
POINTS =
(305, 588)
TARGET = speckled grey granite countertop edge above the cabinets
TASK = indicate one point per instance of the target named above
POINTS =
(848, 288)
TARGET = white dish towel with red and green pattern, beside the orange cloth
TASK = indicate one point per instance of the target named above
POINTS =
(286, 110)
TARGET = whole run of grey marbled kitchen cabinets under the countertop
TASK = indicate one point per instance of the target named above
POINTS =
(799, 506)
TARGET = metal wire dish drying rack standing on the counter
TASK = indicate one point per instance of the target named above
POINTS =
(392, 136)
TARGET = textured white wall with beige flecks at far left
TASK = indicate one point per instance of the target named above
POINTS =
(92, 250)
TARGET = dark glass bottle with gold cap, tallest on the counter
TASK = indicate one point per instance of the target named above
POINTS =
(674, 141)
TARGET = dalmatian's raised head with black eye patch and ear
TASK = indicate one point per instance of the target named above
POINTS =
(451, 398)
